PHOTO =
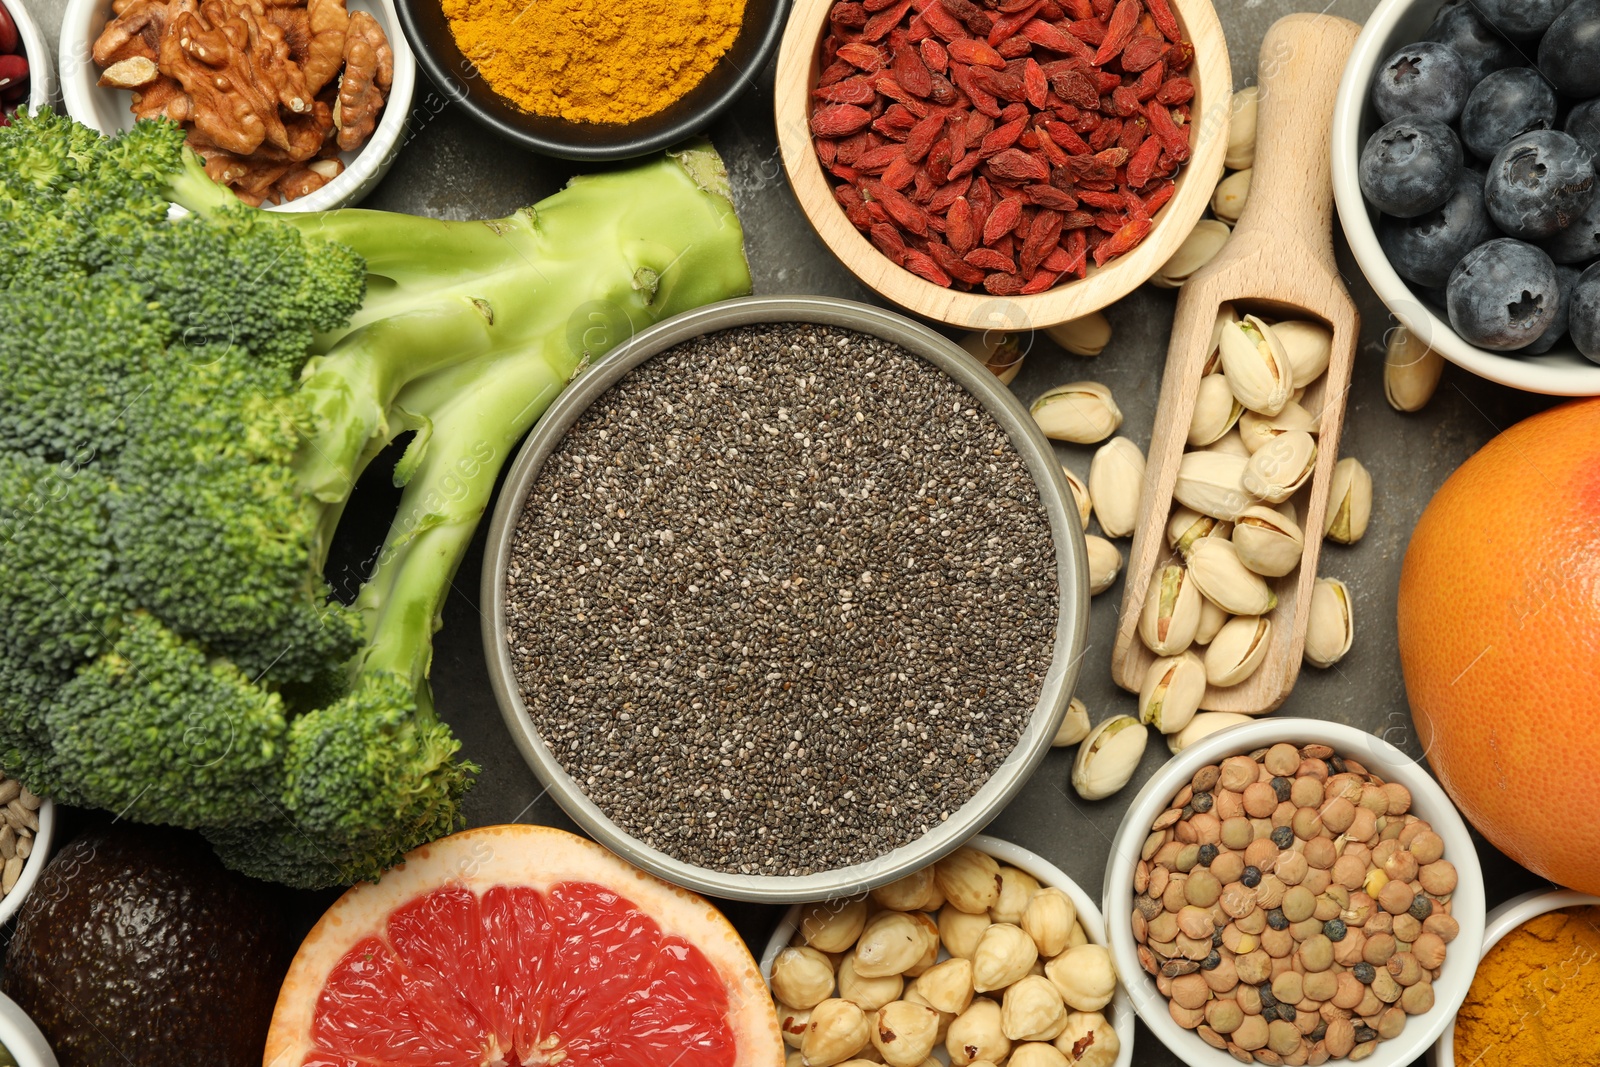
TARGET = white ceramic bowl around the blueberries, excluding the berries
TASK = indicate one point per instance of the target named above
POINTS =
(1393, 26)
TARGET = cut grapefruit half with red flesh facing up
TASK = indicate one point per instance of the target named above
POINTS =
(521, 946)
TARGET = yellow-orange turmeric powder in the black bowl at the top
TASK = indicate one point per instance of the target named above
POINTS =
(591, 60)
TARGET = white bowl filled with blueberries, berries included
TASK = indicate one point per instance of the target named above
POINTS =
(1465, 148)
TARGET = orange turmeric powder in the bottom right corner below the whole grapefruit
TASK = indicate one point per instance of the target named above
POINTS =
(1535, 1001)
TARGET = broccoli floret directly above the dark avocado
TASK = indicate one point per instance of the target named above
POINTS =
(159, 730)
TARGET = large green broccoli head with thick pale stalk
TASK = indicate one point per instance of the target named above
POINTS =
(186, 410)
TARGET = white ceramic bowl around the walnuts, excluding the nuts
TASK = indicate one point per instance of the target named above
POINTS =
(108, 110)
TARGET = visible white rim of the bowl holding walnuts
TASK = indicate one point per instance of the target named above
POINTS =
(79, 92)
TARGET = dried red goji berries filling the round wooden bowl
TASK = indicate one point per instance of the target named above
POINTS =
(1002, 145)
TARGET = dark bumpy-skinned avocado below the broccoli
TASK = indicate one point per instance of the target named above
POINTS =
(137, 948)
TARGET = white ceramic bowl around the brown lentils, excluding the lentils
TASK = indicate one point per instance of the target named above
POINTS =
(1380, 757)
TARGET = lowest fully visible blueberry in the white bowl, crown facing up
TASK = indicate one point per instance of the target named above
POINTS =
(1503, 295)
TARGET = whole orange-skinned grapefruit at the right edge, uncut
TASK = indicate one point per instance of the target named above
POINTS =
(1500, 641)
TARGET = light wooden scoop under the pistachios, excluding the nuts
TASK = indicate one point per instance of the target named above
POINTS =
(1278, 265)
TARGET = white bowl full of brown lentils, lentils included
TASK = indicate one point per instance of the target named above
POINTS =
(1294, 892)
